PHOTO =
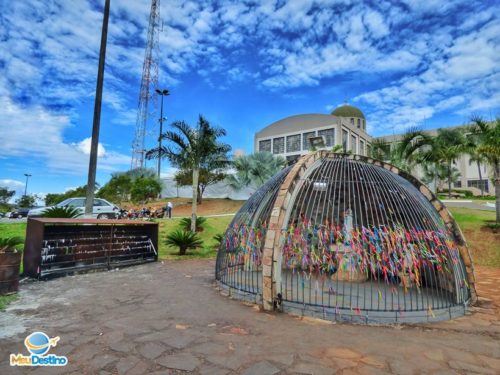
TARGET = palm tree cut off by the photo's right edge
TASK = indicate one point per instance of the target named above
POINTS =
(489, 149)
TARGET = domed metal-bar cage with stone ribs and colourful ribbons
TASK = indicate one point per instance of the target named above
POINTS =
(345, 237)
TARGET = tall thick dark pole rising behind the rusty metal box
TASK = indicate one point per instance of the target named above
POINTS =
(89, 202)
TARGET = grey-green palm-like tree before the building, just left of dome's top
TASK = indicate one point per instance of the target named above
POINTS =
(255, 169)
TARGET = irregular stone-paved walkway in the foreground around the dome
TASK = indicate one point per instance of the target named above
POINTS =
(169, 319)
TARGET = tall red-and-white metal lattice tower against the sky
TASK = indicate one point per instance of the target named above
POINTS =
(149, 81)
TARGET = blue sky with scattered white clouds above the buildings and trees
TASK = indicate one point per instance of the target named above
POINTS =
(242, 64)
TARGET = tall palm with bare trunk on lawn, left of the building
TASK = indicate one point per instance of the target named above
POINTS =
(188, 147)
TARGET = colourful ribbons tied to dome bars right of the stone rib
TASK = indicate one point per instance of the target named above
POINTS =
(377, 251)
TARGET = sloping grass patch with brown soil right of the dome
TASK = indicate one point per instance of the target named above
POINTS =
(483, 240)
